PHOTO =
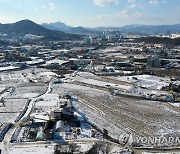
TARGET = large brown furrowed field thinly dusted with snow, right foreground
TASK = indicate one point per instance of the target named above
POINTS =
(122, 114)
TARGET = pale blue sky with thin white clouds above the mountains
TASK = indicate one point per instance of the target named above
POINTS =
(92, 13)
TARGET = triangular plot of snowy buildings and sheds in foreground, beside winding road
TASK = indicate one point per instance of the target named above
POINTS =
(56, 121)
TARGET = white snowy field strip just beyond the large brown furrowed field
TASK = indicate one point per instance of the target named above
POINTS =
(141, 85)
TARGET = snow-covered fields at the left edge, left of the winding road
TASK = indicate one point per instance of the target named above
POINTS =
(15, 90)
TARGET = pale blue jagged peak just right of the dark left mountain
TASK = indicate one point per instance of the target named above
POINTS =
(56, 26)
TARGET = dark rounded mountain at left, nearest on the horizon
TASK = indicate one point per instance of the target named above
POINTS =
(24, 27)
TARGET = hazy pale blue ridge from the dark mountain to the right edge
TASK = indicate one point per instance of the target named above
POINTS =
(141, 29)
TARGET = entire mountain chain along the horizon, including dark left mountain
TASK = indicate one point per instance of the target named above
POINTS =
(54, 30)
